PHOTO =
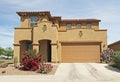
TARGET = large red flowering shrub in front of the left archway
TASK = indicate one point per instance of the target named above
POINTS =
(30, 61)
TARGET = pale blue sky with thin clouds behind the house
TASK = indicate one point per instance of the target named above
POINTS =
(108, 11)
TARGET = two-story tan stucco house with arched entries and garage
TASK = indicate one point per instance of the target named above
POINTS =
(59, 40)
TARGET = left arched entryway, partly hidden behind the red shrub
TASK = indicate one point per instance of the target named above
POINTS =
(25, 45)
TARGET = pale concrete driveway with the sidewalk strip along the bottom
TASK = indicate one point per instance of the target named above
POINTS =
(72, 72)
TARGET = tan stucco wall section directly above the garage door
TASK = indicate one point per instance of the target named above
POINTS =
(87, 35)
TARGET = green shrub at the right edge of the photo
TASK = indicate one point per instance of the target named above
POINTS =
(116, 59)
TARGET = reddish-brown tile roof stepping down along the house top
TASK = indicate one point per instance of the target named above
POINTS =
(36, 13)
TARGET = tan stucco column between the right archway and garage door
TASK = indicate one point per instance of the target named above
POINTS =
(54, 53)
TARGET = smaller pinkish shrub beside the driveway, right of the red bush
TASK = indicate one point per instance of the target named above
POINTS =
(45, 68)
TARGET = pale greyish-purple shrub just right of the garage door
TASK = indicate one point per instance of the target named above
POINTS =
(107, 55)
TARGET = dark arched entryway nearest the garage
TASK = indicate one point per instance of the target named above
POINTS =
(45, 50)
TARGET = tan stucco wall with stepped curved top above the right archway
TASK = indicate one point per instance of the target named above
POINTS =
(51, 33)
